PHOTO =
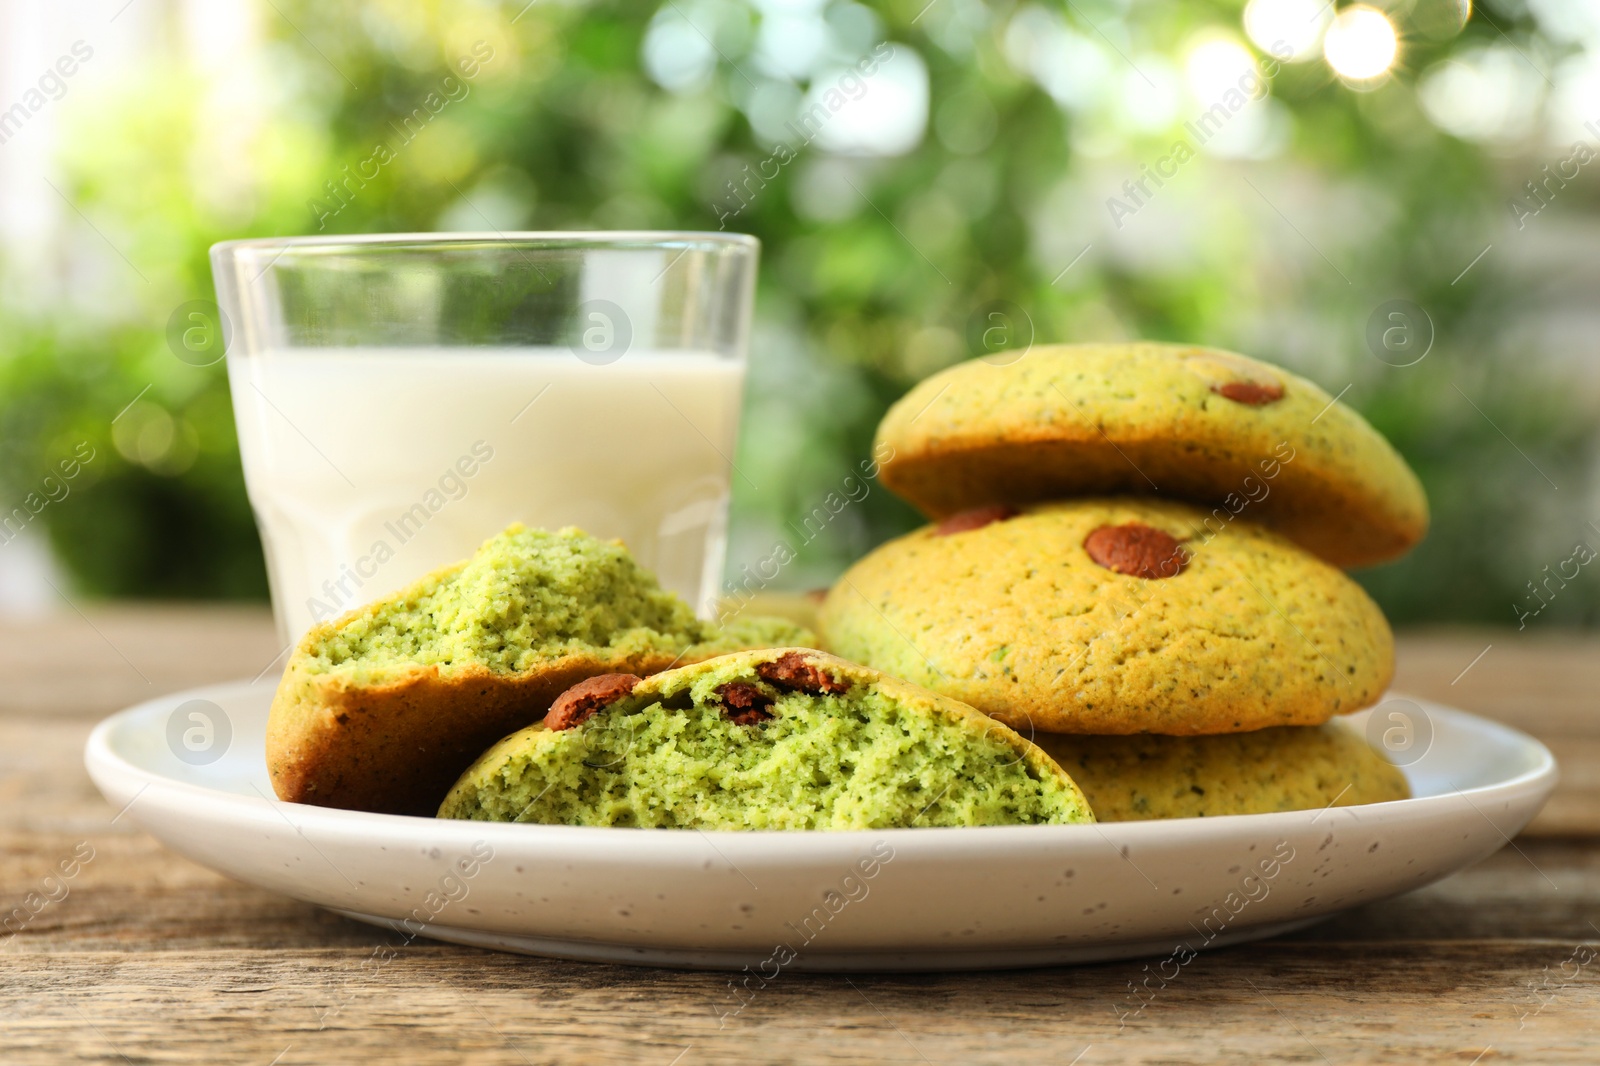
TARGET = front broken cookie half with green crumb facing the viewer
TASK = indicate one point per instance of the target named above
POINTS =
(873, 755)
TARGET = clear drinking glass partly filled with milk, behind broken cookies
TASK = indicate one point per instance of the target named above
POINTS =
(404, 398)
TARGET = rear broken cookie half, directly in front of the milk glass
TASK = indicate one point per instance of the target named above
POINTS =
(382, 710)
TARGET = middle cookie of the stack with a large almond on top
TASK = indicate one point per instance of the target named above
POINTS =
(1116, 615)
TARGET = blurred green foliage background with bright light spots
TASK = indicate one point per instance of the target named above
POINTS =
(1335, 201)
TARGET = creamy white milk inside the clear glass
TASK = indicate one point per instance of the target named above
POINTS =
(369, 468)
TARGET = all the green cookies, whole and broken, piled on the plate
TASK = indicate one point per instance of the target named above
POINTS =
(1130, 606)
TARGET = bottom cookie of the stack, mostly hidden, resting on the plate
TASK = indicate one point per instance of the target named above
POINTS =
(1132, 779)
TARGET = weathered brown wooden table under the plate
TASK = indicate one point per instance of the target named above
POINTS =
(153, 960)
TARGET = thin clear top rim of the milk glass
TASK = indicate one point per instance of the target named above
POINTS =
(522, 241)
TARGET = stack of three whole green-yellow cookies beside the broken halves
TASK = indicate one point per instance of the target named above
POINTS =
(1137, 559)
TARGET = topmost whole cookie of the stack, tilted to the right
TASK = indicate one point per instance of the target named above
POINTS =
(1194, 423)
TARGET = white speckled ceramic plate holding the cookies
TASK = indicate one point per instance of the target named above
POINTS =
(889, 900)
